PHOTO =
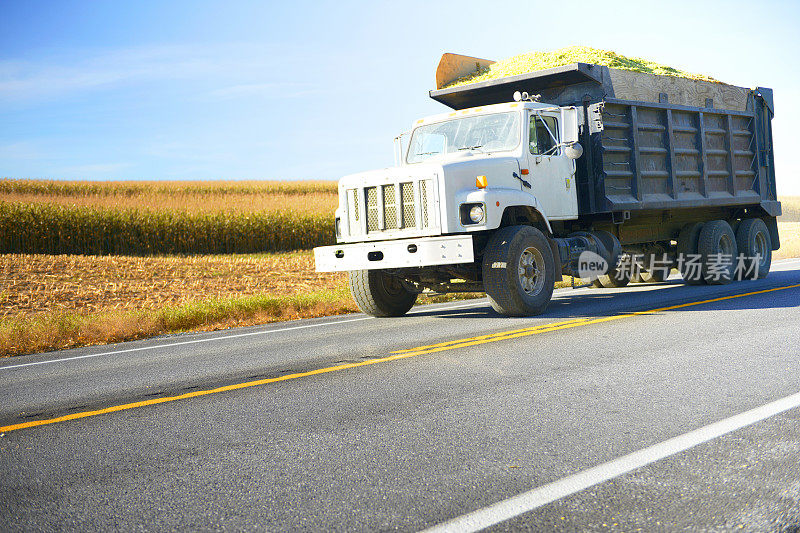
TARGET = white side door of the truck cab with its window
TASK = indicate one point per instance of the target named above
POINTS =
(552, 174)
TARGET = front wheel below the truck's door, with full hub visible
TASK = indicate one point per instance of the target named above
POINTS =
(518, 271)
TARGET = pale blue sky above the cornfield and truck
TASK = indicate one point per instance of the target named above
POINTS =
(316, 90)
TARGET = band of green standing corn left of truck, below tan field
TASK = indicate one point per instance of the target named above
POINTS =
(52, 229)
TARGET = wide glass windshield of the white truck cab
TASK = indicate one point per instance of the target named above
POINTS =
(498, 132)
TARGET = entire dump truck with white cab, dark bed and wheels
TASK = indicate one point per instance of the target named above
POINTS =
(562, 171)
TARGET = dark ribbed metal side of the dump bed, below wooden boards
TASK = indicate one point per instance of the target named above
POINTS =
(661, 156)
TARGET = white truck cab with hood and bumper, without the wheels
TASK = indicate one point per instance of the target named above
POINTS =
(461, 172)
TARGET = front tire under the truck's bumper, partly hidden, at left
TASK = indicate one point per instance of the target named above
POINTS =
(380, 294)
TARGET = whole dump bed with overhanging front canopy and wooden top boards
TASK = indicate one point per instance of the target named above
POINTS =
(660, 143)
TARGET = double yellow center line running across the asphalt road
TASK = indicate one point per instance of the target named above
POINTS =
(400, 354)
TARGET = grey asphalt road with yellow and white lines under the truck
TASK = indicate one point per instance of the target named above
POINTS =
(354, 423)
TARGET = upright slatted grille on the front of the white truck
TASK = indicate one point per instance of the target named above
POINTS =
(390, 208)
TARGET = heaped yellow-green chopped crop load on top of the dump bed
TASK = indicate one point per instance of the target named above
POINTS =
(532, 61)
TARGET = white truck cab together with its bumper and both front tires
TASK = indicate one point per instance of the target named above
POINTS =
(465, 174)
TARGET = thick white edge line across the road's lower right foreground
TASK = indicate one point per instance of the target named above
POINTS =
(540, 496)
